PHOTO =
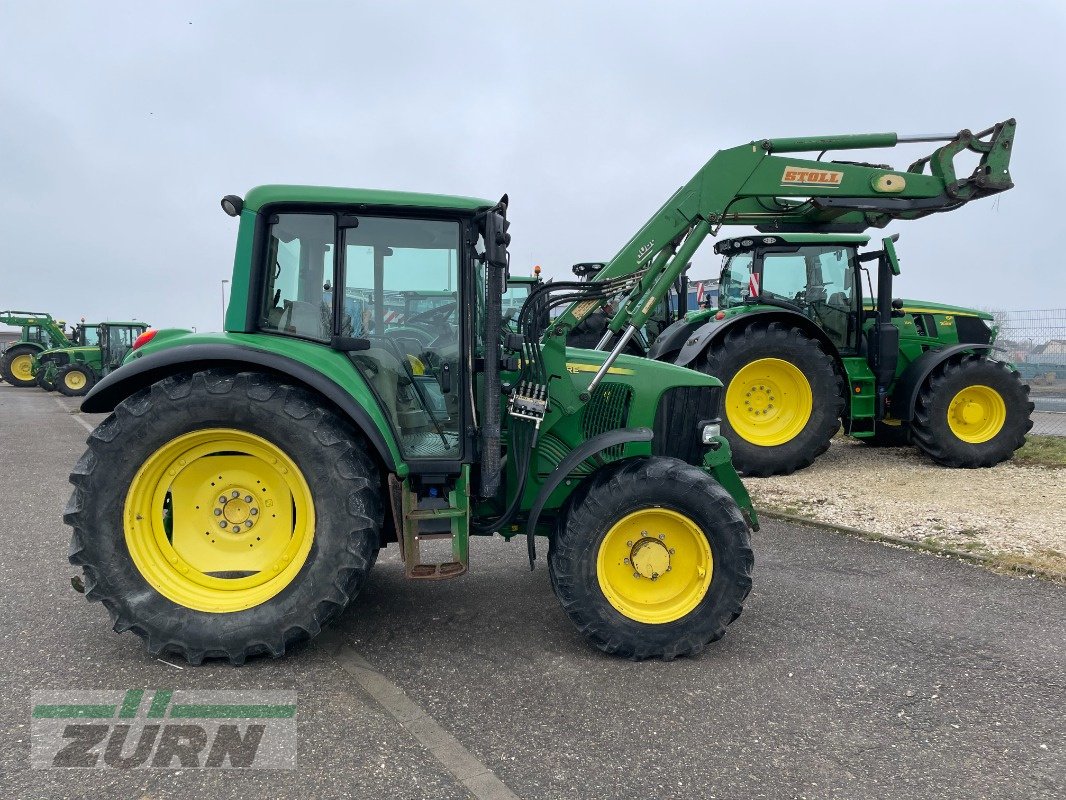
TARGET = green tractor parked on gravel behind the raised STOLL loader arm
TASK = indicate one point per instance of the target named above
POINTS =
(800, 349)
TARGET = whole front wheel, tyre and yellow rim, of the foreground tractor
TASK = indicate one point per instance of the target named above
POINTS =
(652, 559)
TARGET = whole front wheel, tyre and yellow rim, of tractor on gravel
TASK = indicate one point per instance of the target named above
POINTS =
(973, 413)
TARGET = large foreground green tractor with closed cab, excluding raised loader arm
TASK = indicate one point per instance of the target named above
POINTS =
(238, 494)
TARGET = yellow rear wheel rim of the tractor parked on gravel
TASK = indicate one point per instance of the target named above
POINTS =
(769, 402)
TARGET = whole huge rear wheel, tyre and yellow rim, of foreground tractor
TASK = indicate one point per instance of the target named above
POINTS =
(224, 516)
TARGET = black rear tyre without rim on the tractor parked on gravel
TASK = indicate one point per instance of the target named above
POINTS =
(742, 346)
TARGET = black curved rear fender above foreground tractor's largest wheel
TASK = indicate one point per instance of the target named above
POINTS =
(140, 374)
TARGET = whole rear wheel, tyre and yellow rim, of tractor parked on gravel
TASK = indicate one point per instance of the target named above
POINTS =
(783, 397)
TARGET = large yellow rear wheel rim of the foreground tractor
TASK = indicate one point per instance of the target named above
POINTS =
(219, 520)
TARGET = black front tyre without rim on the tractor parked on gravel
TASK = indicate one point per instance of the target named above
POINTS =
(932, 433)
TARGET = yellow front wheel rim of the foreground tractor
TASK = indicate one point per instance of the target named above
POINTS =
(655, 566)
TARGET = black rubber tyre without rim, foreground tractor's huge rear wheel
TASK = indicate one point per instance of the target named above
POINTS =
(334, 459)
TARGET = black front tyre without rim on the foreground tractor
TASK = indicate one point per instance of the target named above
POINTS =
(607, 498)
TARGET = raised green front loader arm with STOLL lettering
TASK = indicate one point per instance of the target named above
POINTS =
(763, 185)
